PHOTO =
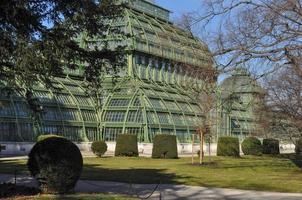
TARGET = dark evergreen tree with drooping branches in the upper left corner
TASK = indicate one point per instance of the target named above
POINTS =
(39, 38)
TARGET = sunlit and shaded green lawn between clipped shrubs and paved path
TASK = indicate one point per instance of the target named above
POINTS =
(254, 173)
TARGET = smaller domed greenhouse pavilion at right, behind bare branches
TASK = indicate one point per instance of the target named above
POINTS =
(240, 96)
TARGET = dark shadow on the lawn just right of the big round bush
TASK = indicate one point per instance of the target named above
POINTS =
(130, 175)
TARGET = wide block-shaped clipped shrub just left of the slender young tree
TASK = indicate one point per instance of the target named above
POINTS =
(164, 146)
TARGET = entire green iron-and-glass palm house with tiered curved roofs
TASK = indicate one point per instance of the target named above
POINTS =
(149, 98)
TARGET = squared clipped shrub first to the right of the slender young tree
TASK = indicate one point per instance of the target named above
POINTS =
(228, 146)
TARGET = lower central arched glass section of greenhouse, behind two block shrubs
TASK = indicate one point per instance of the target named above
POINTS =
(146, 110)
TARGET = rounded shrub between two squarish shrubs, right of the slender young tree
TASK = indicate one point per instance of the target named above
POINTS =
(251, 146)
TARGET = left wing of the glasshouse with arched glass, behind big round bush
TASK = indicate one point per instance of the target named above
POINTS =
(66, 111)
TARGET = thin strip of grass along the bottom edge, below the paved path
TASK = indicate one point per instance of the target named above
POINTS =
(74, 197)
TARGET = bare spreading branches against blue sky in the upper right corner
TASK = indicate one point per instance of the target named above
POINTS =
(252, 31)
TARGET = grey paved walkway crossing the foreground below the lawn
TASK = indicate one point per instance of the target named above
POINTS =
(166, 191)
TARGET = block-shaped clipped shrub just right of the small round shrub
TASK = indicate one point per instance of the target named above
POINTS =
(126, 145)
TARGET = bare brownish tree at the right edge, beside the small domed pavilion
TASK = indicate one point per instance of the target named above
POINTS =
(285, 101)
